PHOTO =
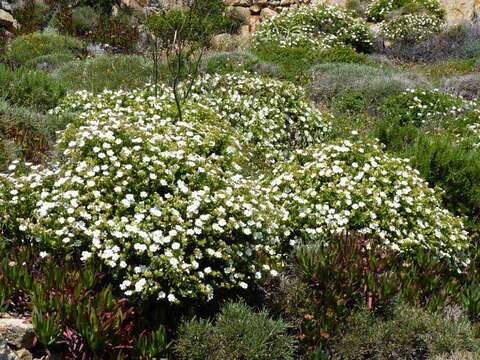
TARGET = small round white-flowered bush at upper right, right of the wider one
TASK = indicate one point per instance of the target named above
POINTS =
(411, 28)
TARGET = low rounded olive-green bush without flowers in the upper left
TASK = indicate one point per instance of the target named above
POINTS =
(28, 47)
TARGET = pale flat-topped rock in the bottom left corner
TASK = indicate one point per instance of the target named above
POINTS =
(18, 333)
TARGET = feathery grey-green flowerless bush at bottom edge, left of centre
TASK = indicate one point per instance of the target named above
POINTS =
(238, 333)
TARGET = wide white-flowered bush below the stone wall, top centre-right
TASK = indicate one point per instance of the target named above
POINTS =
(318, 26)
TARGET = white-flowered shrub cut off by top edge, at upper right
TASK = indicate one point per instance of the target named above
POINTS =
(379, 10)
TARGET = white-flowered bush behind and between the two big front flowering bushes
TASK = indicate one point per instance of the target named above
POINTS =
(273, 115)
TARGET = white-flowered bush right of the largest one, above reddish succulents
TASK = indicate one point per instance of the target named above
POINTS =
(352, 185)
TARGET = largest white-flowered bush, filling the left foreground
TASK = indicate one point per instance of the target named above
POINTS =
(162, 203)
